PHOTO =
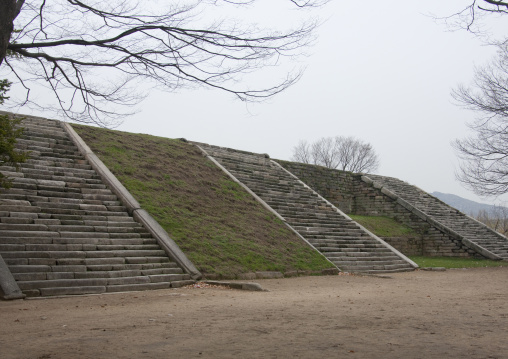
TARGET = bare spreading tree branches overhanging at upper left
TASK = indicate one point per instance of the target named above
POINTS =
(91, 54)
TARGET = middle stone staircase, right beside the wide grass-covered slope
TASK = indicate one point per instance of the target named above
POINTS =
(341, 240)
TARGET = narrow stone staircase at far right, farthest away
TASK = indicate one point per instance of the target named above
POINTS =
(449, 218)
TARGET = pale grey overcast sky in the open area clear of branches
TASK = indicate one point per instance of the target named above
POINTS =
(381, 71)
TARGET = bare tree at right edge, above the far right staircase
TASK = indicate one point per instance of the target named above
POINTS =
(484, 155)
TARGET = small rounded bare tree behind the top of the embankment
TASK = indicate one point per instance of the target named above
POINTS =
(345, 153)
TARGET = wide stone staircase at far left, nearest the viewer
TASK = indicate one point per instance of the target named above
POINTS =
(62, 232)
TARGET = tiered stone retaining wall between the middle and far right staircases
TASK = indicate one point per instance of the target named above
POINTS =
(352, 195)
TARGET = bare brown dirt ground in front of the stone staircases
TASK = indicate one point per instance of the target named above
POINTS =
(452, 314)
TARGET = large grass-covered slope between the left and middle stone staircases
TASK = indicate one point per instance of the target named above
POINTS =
(217, 224)
